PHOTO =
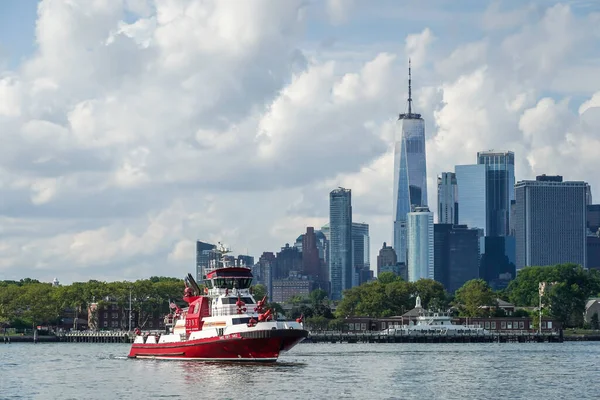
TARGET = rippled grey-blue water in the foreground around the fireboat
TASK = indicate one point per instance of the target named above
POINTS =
(309, 371)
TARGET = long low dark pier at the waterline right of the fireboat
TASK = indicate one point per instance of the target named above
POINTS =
(376, 337)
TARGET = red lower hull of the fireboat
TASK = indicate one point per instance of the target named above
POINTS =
(265, 346)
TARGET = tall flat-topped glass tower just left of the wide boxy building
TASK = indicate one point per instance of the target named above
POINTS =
(500, 184)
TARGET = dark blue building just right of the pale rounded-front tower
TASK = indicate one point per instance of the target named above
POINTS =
(456, 258)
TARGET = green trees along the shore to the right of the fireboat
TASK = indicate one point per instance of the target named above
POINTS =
(568, 286)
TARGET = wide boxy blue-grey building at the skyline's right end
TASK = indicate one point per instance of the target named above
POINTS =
(550, 224)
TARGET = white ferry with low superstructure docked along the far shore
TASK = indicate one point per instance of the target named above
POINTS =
(438, 323)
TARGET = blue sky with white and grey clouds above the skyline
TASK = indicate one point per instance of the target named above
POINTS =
(129, 129)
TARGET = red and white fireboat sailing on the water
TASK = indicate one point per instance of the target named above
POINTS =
(223, 322)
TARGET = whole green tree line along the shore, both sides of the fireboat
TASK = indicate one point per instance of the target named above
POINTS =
(28, 302)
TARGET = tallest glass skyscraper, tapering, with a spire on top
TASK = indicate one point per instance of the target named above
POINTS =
(410, 172)
